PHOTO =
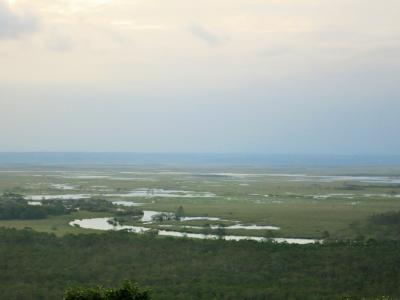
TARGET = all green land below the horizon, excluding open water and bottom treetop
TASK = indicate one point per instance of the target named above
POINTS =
(359, 221)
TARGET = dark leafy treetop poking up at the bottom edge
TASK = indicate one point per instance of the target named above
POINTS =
(128, 291)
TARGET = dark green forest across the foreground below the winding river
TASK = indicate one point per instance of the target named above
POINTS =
(42, 266)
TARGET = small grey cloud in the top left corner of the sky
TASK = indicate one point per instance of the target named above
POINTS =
(13, 24)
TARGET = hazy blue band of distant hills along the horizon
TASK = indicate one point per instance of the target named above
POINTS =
(273, 160)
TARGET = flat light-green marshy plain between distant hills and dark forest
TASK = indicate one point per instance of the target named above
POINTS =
(302, 206)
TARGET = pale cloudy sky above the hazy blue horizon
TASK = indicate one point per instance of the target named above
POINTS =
(210, 76)
